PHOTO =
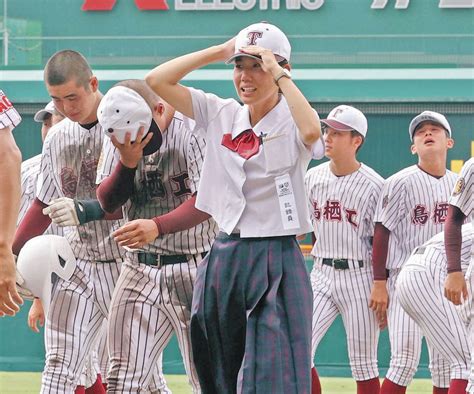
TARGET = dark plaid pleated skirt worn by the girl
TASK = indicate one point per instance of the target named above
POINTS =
(251, 317)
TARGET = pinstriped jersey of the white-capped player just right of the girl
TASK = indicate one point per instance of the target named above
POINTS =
(342, 208)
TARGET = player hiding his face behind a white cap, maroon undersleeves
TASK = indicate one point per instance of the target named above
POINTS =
(154, 291)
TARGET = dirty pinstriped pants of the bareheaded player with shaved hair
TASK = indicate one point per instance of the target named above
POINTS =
(78, 308)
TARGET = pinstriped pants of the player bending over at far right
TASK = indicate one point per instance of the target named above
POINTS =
(420, 292)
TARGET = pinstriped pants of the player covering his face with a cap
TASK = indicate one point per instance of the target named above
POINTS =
(148, 305)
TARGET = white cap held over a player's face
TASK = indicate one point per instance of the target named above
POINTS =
(123, 110)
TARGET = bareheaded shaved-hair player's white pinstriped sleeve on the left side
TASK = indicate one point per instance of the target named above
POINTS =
(46, 186)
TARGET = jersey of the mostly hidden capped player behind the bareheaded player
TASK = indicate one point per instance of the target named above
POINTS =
(29, 176)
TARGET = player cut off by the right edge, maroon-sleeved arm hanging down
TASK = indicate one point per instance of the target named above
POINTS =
(461, 205)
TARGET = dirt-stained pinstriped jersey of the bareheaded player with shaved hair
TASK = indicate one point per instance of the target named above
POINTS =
(69, 169)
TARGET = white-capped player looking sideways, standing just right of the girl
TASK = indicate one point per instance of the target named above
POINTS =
(343, 195)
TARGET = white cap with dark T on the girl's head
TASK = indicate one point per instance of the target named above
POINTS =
(264, 35)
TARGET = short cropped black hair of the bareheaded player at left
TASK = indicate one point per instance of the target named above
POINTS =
(65, 66)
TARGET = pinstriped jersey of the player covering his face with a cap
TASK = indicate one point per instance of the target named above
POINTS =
(163, 181)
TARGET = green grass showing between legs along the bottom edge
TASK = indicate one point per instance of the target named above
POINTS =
(29, 383)
